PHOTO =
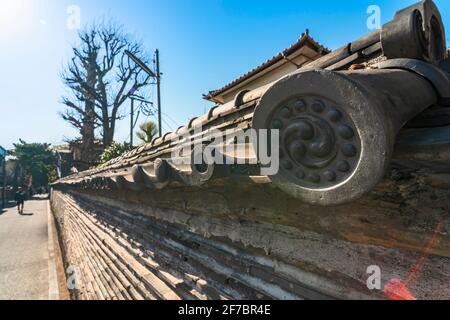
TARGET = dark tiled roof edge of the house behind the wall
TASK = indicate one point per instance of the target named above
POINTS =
(304, 39)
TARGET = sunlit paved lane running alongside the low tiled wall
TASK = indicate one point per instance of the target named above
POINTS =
(27, 266)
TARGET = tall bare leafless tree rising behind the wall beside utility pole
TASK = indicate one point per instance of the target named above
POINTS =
(100, 78)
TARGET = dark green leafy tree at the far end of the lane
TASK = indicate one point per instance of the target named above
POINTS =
(37, 160)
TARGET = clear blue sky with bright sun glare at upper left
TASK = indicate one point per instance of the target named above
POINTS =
(204, 44)
